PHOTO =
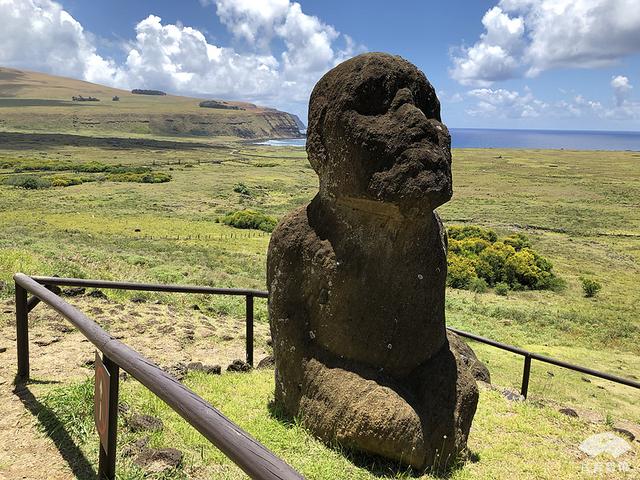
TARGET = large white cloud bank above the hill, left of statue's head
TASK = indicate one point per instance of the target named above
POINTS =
(41, 35)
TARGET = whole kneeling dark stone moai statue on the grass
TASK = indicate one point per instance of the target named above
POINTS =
(357, 277)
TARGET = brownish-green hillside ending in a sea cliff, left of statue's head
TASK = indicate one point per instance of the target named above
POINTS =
(39, 102)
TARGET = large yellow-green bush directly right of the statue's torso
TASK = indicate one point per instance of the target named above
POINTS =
(476, 253)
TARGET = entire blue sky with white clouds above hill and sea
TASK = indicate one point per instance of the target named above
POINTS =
(538, 64)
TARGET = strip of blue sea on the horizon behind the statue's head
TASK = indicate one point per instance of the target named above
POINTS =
(526, 139)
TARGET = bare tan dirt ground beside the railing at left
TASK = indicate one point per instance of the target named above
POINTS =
(60, 355)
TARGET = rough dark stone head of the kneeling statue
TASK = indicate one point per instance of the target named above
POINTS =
(375, 133)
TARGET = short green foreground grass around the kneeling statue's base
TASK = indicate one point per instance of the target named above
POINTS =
(502, 431)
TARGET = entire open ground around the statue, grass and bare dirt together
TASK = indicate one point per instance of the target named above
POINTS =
(580, 210)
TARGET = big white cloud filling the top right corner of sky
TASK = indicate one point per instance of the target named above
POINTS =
(526, 37)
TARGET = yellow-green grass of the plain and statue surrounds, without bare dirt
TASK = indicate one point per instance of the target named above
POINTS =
(580, 210)
